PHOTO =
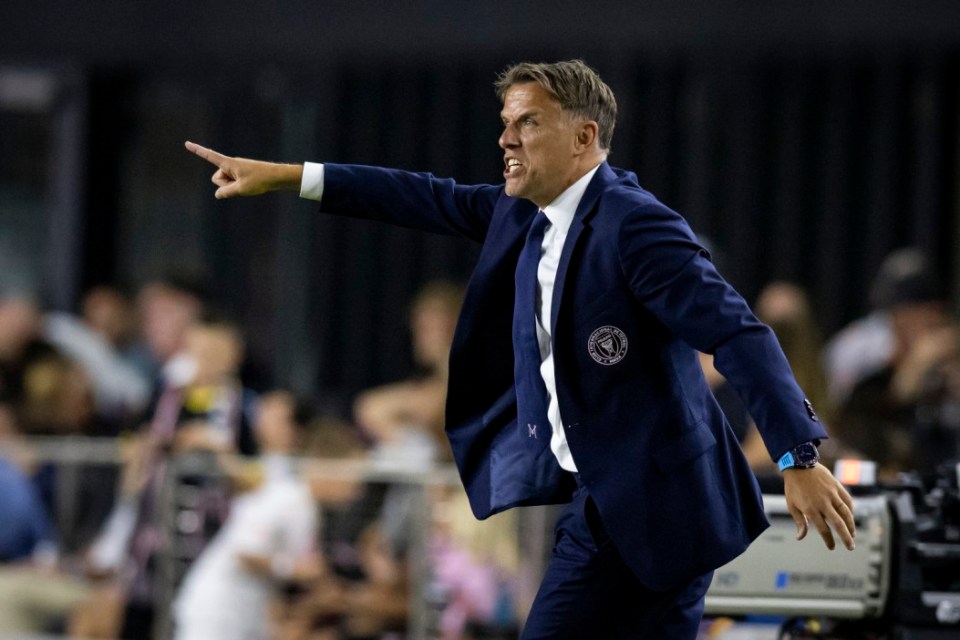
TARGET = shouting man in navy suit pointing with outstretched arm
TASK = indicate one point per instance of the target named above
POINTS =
(573, 374)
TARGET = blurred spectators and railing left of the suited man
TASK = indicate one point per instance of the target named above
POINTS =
(180, 503)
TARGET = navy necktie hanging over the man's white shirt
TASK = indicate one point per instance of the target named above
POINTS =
(531, 391)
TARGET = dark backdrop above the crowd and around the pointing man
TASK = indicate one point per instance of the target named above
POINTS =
(807, 139)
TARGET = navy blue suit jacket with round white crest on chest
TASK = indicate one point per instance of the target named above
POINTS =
(650, 443)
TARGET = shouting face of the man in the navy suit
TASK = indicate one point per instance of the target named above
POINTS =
(539, 143)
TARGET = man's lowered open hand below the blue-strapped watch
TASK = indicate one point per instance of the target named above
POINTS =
(814, 495)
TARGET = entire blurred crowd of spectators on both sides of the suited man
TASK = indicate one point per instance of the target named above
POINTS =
(226, 504)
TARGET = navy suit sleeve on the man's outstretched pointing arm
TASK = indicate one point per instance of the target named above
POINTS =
(414, 200)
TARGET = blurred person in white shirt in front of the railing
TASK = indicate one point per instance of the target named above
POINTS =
(269, 537)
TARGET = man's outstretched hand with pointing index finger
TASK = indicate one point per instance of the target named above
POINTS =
(244, 177)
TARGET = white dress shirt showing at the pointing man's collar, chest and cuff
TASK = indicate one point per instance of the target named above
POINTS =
(560, 213)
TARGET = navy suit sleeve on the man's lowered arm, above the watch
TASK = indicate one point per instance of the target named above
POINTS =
(672, 275)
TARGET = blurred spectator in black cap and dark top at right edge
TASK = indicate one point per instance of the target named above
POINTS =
(892, 414)
